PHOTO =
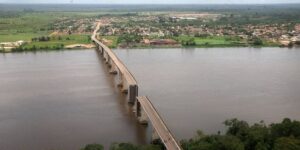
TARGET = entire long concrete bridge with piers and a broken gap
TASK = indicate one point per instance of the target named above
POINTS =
(145, 111)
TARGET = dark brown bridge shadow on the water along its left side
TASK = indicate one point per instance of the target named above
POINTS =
(126, 109)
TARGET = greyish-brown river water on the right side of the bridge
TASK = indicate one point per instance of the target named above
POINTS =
(200, 88)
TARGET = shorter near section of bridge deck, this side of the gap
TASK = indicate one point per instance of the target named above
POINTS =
(158, 124)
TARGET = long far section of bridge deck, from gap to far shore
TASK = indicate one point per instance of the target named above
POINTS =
(123, 69)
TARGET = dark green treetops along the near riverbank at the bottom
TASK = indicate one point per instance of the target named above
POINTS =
(239, 136)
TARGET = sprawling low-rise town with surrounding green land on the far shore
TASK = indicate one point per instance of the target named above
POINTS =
(144, 29)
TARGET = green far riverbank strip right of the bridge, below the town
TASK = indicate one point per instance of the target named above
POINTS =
(186, 42)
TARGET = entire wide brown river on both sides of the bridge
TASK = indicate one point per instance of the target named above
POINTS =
(66, 99)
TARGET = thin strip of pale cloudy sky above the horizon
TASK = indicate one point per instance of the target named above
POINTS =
(154, 1)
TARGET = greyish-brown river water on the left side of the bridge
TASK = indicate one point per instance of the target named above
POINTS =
(61, 100)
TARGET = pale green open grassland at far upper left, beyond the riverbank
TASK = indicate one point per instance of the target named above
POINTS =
(26, 25)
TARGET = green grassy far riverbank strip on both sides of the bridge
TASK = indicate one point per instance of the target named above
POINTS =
(78, 41)
